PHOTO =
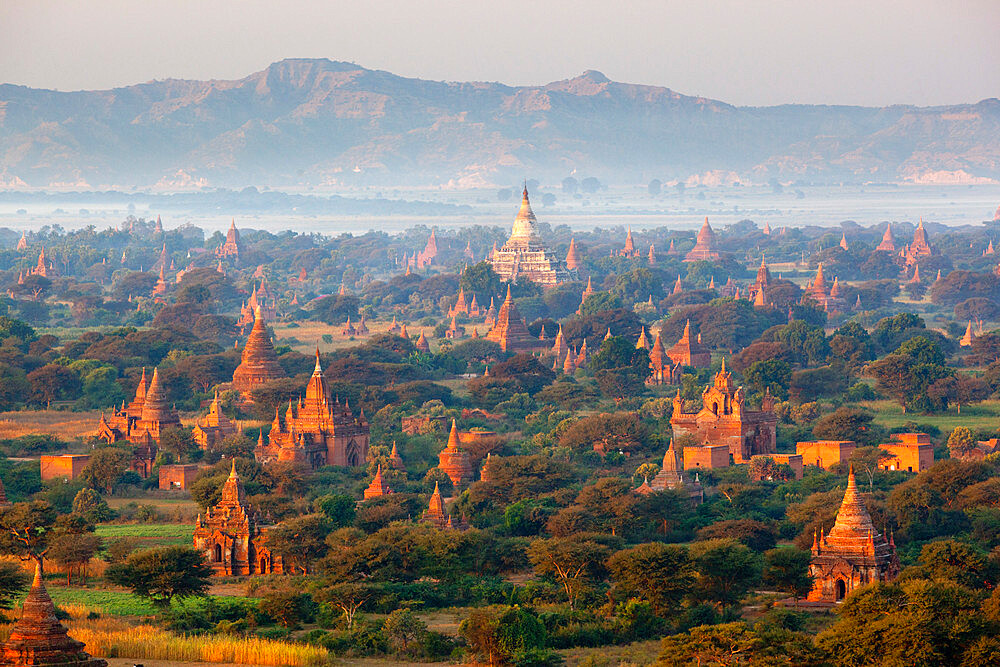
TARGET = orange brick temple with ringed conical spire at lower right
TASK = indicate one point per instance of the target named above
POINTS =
(854, 553)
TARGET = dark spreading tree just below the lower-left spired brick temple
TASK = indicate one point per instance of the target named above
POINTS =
(161, 574)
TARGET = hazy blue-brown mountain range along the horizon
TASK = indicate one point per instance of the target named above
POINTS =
(320, 121)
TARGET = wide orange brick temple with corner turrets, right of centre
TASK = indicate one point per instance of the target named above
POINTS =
(725, 419)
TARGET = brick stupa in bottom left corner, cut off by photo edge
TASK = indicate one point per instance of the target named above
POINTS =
(38, 638)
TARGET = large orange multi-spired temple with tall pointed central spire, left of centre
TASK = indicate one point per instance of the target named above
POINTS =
(317, 430)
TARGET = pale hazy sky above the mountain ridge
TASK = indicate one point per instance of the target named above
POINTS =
(756, 52)
